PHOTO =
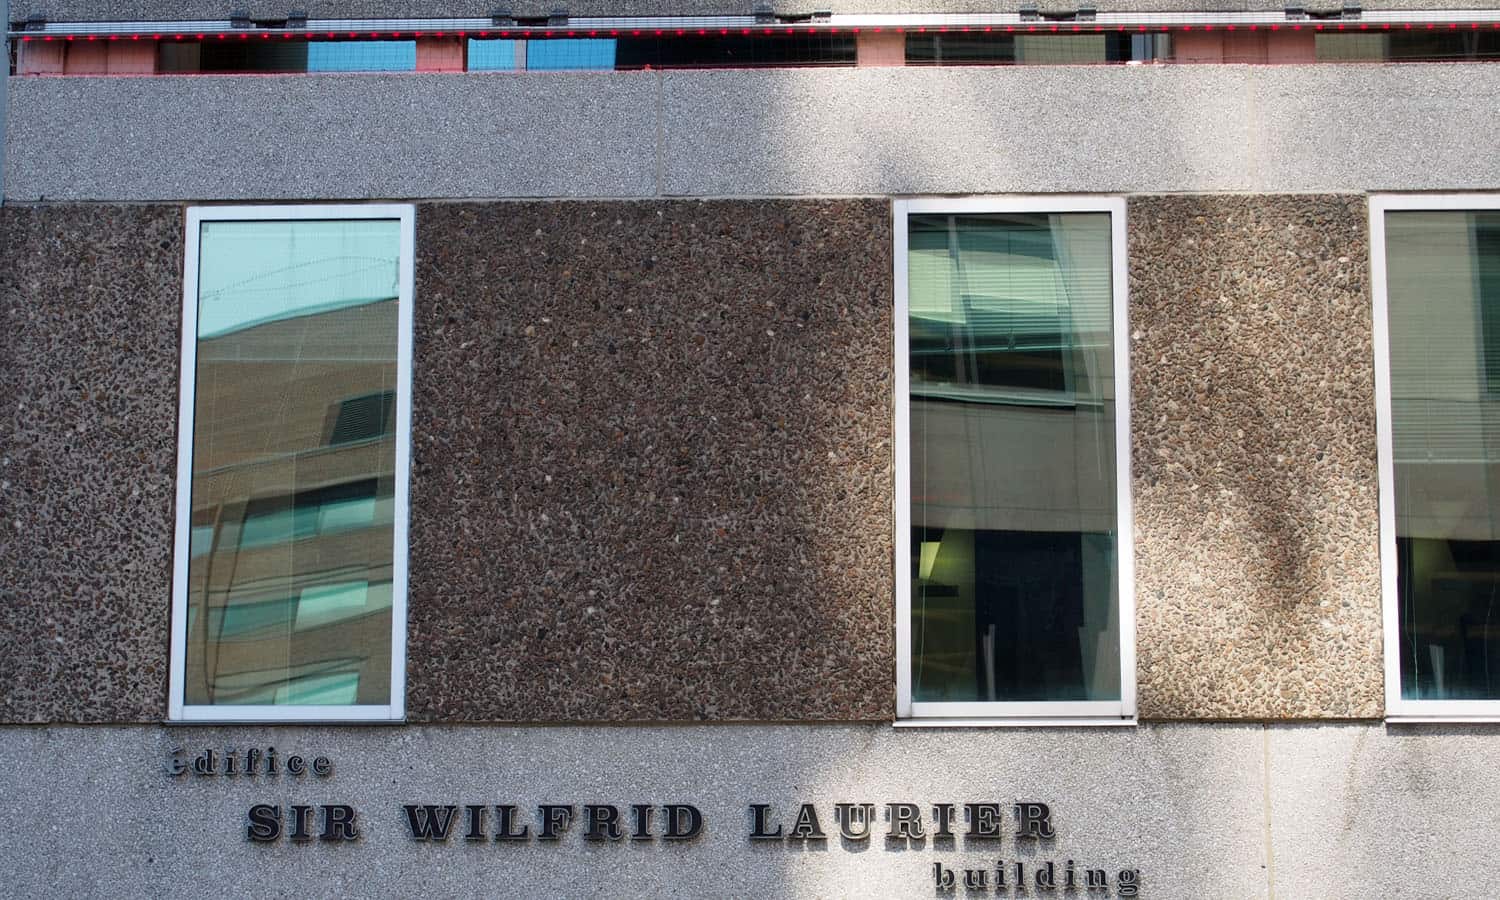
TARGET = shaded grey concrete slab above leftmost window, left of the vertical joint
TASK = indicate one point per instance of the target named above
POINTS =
(343, 137)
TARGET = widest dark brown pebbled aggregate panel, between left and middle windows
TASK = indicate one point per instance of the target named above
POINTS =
(653, 463)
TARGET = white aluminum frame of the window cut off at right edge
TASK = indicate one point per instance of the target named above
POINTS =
(1397, 707)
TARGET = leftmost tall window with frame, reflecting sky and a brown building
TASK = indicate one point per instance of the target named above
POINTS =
(290, 583)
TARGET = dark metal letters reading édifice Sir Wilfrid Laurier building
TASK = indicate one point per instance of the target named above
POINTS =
(908, 826)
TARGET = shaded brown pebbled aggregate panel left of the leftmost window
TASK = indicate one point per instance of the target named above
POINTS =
(91, 299)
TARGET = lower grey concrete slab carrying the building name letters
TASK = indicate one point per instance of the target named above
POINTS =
(91, 811)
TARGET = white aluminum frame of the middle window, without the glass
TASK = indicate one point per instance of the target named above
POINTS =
(1012, 713)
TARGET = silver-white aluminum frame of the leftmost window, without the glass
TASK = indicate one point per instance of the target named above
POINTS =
(395, 710)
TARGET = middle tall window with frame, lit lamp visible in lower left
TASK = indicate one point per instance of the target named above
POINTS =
(1013, 556)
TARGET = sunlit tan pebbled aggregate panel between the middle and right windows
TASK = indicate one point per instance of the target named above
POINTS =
(1255, 458)
